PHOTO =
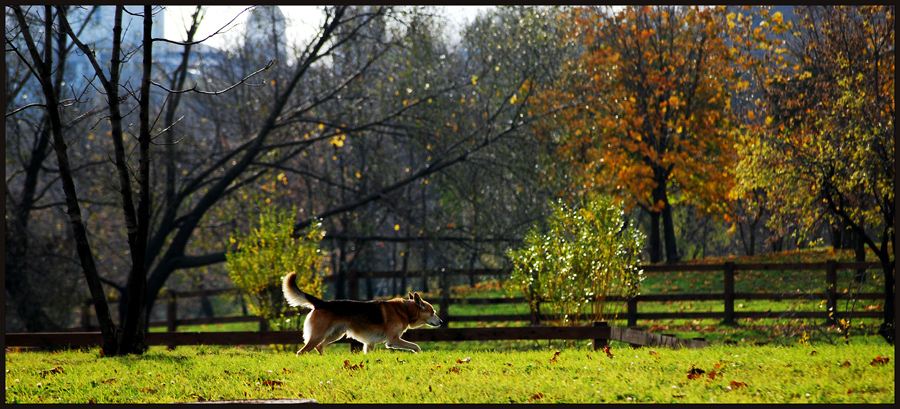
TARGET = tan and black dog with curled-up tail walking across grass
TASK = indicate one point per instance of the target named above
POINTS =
(369, 322)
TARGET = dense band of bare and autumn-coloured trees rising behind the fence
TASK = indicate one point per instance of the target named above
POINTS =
(721, 130)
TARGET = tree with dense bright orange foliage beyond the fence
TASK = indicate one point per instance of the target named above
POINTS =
(646, 115)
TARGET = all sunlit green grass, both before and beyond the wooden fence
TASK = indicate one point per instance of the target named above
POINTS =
(762, 361)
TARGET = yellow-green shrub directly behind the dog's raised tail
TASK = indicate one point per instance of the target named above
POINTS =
(257, 262)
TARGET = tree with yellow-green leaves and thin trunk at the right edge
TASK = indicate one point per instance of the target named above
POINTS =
(820, 138)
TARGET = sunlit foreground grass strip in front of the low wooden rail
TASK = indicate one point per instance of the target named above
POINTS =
(463, 374)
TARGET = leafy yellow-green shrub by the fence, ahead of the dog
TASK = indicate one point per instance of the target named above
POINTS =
(583, 257)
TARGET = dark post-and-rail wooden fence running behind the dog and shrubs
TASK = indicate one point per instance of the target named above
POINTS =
(728, 296)
